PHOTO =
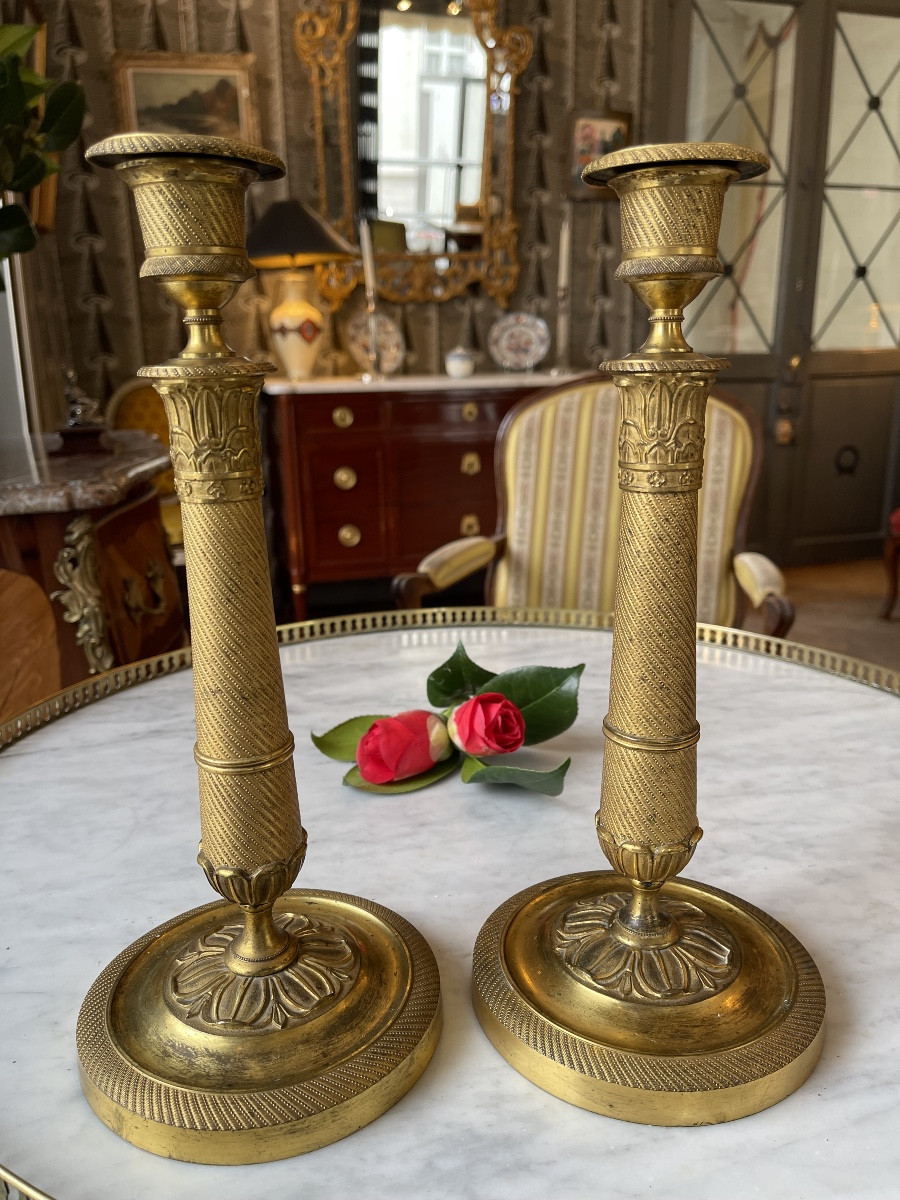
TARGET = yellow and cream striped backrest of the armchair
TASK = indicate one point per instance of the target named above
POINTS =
(560, 476)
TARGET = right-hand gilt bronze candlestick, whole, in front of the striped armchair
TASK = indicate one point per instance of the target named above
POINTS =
(634, 994)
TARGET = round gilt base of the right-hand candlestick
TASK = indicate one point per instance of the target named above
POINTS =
(590, 1024)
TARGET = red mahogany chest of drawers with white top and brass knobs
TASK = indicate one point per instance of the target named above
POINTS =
(373, 477)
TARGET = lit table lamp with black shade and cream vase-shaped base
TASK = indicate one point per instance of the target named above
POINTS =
(291, 237)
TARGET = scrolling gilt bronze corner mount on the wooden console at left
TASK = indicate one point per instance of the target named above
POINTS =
(76, 568)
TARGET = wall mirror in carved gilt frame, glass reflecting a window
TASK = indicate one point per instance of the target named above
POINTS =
(415, 113)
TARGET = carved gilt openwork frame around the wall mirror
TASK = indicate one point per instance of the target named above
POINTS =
(323, 31)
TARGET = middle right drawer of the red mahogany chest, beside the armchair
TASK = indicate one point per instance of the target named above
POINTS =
(451, 470)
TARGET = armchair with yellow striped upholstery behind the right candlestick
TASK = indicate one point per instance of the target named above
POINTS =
(559, 502)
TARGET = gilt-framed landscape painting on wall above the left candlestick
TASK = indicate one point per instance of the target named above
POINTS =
(207, 94)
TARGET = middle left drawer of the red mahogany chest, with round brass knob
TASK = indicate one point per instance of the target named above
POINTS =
(344, 478)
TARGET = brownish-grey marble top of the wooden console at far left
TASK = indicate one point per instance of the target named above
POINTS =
(63, 483)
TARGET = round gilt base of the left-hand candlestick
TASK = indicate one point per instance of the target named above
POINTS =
(183, 1058)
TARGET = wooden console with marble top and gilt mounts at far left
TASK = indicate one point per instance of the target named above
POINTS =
(87, 527)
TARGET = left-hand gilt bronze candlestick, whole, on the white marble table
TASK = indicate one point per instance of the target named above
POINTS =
(273, 1022)
